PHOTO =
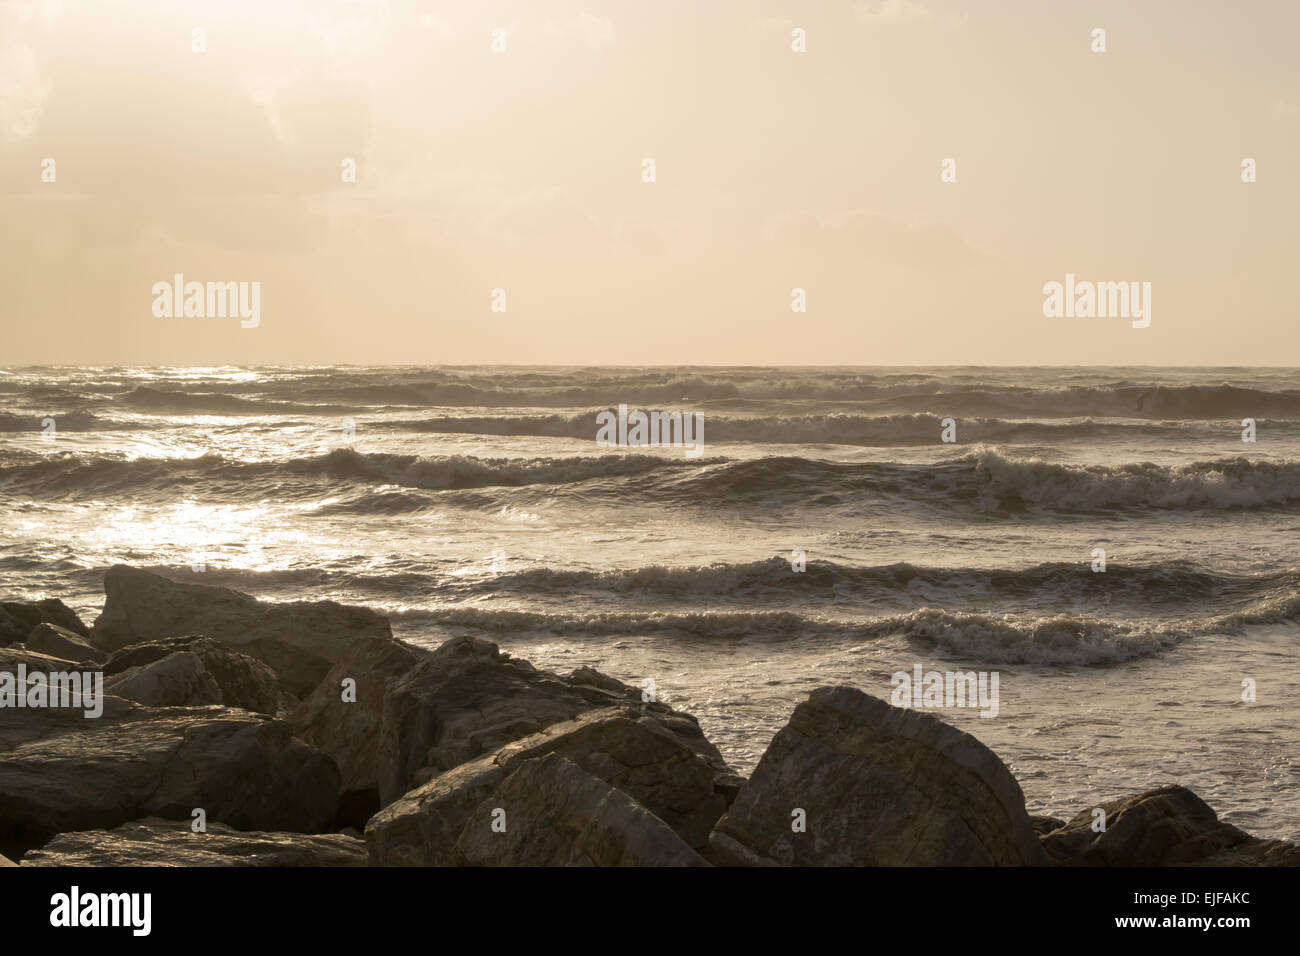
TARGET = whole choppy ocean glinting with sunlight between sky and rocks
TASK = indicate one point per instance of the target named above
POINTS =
(478, 501)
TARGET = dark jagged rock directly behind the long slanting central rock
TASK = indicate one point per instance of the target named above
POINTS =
(467, 699)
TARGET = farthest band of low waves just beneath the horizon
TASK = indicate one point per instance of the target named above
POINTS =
(973, 393)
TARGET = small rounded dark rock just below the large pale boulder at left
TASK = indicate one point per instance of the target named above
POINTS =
(227, 676)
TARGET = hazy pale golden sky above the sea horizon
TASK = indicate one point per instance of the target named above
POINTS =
(775, 170)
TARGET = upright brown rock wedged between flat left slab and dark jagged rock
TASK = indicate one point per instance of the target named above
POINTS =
(350, 732)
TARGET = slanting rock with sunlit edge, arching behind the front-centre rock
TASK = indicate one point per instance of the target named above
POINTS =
(621, 746)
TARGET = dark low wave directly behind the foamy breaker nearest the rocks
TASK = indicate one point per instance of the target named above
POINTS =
(1180, 587)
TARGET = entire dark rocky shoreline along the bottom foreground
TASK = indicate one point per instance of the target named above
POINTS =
(306, 736)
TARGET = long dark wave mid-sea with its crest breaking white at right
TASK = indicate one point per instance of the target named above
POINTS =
(985, 482)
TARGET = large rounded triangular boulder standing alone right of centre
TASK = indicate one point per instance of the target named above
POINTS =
(878, 786)
